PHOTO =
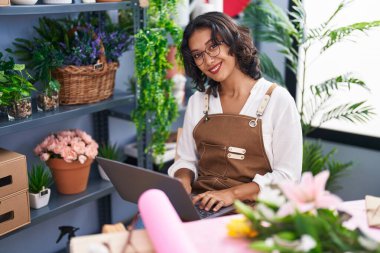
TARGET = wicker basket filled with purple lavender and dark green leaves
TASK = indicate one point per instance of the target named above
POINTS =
(77, 55)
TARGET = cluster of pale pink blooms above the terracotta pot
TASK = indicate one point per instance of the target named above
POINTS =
(70, 145)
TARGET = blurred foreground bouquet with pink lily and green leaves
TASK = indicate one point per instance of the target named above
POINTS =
(299, 218)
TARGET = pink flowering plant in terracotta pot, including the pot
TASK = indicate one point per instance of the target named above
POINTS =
(69, 155)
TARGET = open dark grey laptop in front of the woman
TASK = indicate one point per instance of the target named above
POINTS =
(131, 181)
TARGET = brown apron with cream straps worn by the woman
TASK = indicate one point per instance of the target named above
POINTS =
(230, 148)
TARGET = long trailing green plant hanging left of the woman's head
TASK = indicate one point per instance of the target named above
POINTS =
(156, 103)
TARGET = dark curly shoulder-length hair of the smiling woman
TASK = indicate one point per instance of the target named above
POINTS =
(236, 37)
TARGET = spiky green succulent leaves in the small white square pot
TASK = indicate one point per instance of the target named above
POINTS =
(39, 178)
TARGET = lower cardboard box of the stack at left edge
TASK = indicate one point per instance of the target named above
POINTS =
(14, 211)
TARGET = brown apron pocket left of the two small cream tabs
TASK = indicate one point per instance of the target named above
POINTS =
(212, 160)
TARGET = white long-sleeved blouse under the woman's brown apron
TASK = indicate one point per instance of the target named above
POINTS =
(282, 134)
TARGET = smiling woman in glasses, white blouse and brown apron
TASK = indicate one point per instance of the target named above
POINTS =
(243, 131)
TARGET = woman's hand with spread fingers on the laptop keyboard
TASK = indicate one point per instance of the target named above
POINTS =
(214, 199)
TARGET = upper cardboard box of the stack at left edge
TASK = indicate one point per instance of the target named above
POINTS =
(13, 173)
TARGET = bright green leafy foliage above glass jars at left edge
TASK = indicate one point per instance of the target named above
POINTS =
(14, 81)
